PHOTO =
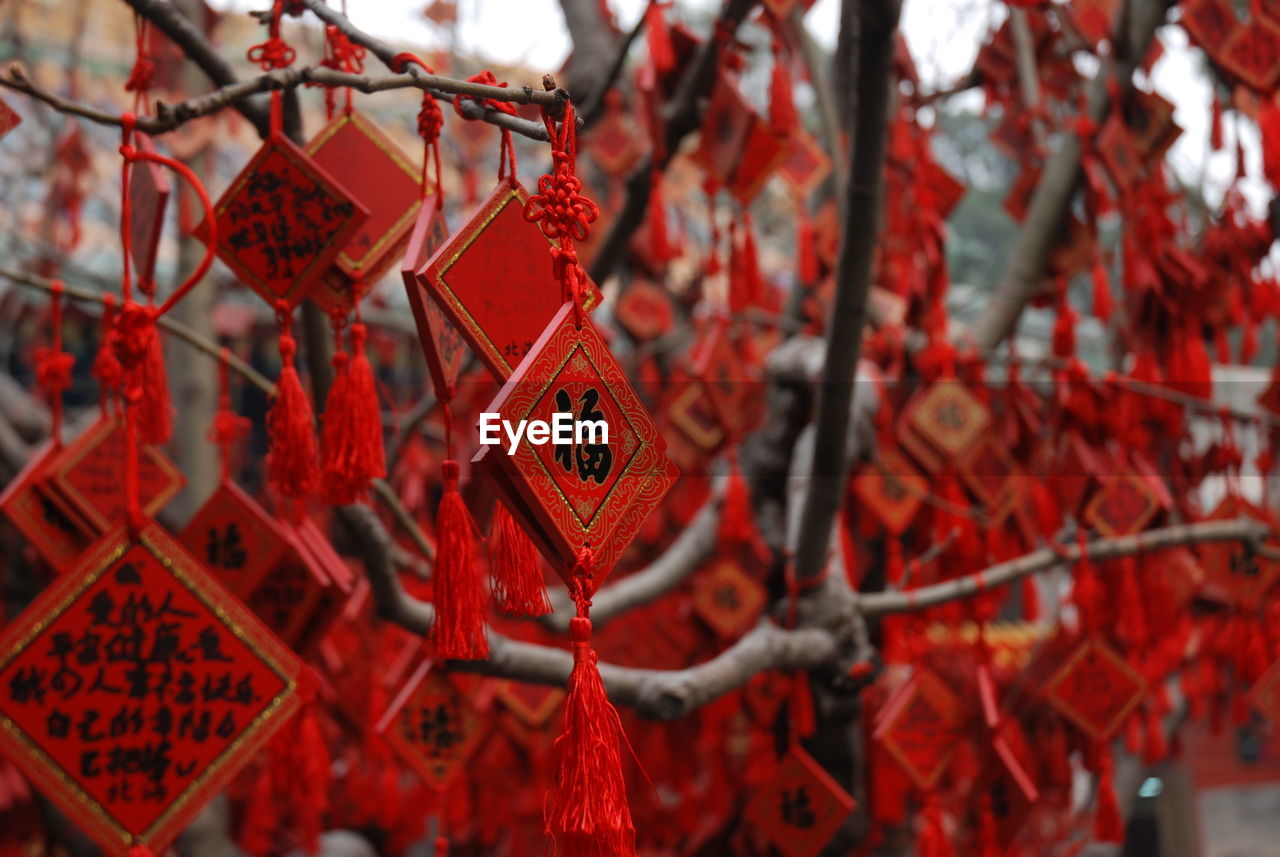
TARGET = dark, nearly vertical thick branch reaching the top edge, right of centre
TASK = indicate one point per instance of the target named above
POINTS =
(853, 282)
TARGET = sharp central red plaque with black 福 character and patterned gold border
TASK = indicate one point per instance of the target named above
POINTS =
(584, 494)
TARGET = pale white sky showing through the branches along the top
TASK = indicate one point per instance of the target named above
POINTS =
(944, 38)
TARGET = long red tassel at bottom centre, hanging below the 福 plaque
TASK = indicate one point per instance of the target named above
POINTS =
(591, 817)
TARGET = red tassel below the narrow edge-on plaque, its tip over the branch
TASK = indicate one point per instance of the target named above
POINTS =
(459, 631)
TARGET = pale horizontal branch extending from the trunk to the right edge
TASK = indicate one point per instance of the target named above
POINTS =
(1247, 530)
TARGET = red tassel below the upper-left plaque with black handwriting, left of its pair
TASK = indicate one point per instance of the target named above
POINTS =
(291, 459)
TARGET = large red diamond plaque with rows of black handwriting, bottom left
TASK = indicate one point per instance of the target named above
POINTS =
(135, 688)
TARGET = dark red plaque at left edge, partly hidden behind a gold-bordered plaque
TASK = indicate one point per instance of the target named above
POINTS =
(28, 502)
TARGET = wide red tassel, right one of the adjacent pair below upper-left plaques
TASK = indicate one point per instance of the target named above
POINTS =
(354, 452)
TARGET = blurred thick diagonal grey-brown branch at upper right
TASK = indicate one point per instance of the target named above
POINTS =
(1041, 231)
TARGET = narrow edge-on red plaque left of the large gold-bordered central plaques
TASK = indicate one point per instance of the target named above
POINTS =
(442, 345)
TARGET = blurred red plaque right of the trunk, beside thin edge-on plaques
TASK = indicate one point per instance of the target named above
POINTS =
(921, 726)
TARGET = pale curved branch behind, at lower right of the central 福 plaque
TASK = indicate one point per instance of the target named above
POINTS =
(685, 556)
